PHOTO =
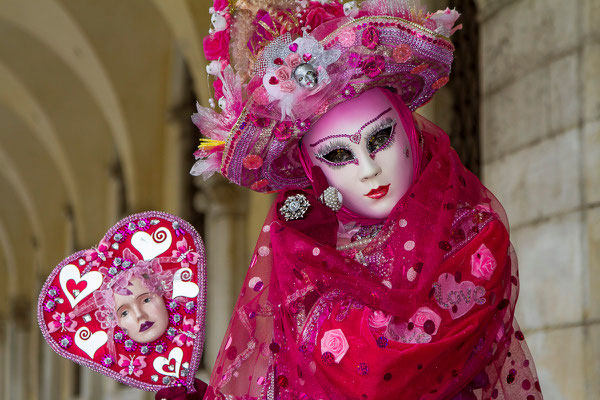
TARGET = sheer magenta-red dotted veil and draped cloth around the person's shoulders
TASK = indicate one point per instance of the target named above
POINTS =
(427, 314)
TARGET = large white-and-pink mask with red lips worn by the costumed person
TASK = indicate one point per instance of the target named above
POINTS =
(364, 152)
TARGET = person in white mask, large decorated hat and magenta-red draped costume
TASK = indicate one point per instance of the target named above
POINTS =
(384, 269)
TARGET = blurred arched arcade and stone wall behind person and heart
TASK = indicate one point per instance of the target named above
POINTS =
(95, 105)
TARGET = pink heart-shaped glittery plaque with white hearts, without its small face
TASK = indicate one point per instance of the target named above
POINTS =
(169, 254)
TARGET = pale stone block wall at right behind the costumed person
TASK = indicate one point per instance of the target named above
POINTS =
(540, 69)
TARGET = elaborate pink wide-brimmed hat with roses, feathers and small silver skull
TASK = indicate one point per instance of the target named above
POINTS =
(280, 65)
